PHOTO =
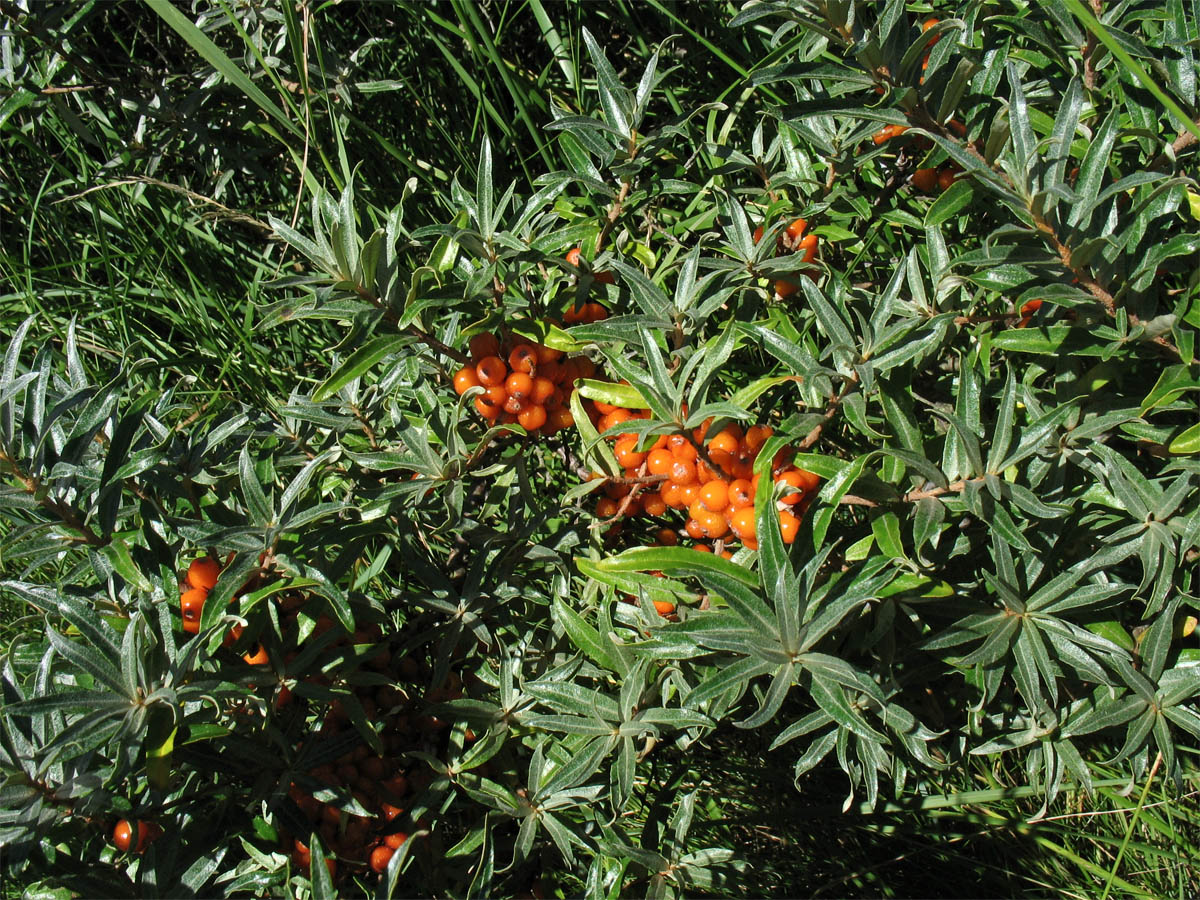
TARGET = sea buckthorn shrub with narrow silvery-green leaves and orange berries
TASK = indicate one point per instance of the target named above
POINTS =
(869, 425)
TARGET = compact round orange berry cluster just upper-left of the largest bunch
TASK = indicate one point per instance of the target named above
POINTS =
(525, 383)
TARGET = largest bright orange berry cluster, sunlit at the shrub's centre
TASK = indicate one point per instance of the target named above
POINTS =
(711, 477)
